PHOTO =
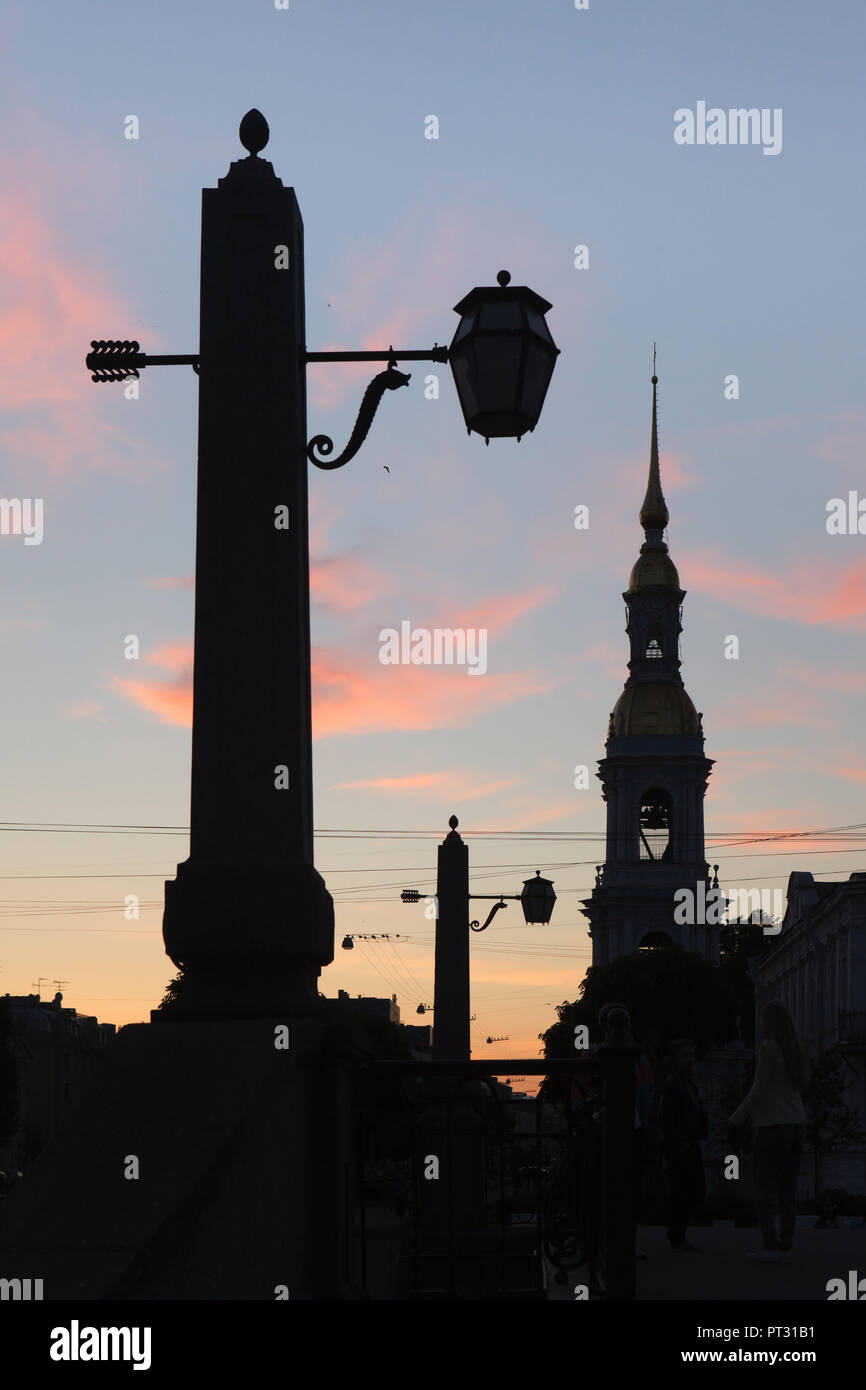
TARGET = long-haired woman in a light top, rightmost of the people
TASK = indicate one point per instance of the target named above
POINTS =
(776, 1107)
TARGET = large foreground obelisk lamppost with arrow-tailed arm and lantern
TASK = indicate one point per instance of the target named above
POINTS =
(250, 918)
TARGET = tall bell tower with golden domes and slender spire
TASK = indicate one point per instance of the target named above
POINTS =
(654, 774)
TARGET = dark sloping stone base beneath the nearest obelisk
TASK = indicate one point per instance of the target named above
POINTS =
(208, 1163)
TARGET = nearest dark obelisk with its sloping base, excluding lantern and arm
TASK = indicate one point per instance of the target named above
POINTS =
(213, 1159)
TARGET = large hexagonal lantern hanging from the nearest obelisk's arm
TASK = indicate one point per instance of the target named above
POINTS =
(503, 357)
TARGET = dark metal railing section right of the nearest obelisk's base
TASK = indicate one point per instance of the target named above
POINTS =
(466, 1192)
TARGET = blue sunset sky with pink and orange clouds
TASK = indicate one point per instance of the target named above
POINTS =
(555, 131)
